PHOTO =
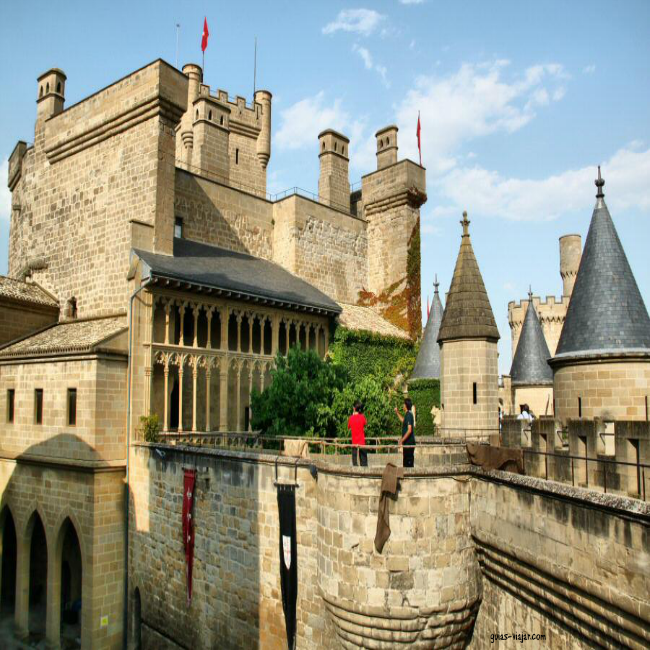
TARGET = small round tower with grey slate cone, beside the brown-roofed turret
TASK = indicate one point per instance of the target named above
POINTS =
(531, 376)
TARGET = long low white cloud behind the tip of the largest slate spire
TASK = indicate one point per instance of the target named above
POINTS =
(490, 194)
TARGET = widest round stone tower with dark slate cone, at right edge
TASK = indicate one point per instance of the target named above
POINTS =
(602, 364)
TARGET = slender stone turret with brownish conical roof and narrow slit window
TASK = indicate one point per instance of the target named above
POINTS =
(468, 349)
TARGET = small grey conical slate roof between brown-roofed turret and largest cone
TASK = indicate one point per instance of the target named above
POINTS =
(530, 364)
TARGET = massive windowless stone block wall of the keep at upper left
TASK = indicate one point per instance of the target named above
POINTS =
(94, 167)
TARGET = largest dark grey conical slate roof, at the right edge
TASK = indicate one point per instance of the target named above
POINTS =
(606, 312)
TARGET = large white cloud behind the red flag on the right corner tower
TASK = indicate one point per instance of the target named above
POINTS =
(477, 100)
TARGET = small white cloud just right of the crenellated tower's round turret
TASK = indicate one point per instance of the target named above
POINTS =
(301, 123)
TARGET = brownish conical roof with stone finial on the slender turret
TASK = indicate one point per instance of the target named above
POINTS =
(468, 313)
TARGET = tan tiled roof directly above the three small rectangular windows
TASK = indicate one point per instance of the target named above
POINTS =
(72, 336)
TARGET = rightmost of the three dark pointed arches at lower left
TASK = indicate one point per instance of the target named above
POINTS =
(71, 587)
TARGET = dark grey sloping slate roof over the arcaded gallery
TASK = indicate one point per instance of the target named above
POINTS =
(240, 275)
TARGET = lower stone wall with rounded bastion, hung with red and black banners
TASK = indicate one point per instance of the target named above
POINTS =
(527, 555)
